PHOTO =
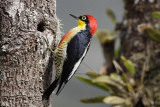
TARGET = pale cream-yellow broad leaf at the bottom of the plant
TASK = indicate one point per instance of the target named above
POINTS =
(114, 100)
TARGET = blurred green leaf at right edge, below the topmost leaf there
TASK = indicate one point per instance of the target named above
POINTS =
(153, 34)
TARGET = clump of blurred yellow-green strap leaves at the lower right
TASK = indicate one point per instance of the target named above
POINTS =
(120, 87)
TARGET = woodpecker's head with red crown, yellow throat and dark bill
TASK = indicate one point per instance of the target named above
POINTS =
(87, 21)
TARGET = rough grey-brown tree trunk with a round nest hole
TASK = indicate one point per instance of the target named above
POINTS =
(25, 61)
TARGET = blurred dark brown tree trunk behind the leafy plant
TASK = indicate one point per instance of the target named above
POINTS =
(140, 49)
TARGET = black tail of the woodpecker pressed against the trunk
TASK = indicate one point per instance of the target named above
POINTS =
(48, 92)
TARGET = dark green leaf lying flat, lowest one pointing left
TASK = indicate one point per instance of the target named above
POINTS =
(98, 99)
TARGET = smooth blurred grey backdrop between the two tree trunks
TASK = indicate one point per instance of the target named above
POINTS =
(75, 89)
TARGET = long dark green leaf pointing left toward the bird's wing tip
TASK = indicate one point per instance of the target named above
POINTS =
(99, 85)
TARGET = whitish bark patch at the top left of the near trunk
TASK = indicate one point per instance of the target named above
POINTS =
(17, 6)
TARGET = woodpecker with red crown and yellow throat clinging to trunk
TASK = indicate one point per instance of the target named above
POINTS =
(71, 51)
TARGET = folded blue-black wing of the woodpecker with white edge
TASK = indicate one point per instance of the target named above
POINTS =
(76, 50)
